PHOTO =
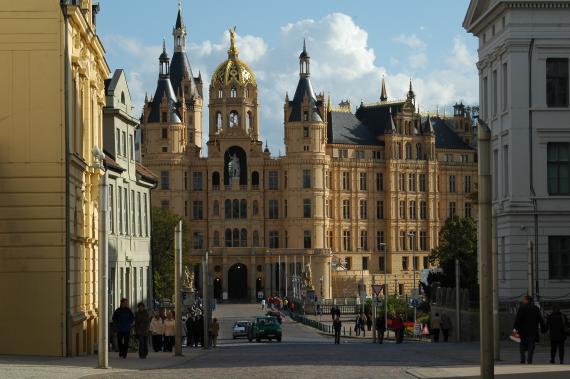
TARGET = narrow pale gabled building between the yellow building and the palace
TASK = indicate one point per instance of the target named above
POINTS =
(129, 183)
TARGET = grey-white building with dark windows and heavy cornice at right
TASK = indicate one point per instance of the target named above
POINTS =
(524, 49)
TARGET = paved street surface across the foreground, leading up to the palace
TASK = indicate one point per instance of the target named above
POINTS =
(304, 353)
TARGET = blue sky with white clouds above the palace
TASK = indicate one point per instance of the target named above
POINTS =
(352, 44)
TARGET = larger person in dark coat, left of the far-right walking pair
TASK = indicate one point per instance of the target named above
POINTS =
(527, 321)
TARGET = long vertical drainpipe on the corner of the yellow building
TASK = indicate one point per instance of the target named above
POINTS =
(68, 350)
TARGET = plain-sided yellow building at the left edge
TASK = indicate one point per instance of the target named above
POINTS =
(52, 70)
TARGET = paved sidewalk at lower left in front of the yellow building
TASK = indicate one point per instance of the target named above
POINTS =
(56, 367)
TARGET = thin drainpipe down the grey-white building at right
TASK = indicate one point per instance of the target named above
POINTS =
(531, 171)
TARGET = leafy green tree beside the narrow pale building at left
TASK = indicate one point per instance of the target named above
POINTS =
(162, 250)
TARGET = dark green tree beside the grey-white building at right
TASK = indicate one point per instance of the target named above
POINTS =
(457, 239)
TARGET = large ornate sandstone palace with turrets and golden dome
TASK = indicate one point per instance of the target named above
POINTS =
(352, 188)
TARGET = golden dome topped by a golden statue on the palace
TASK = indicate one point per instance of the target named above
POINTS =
(233, 70)
